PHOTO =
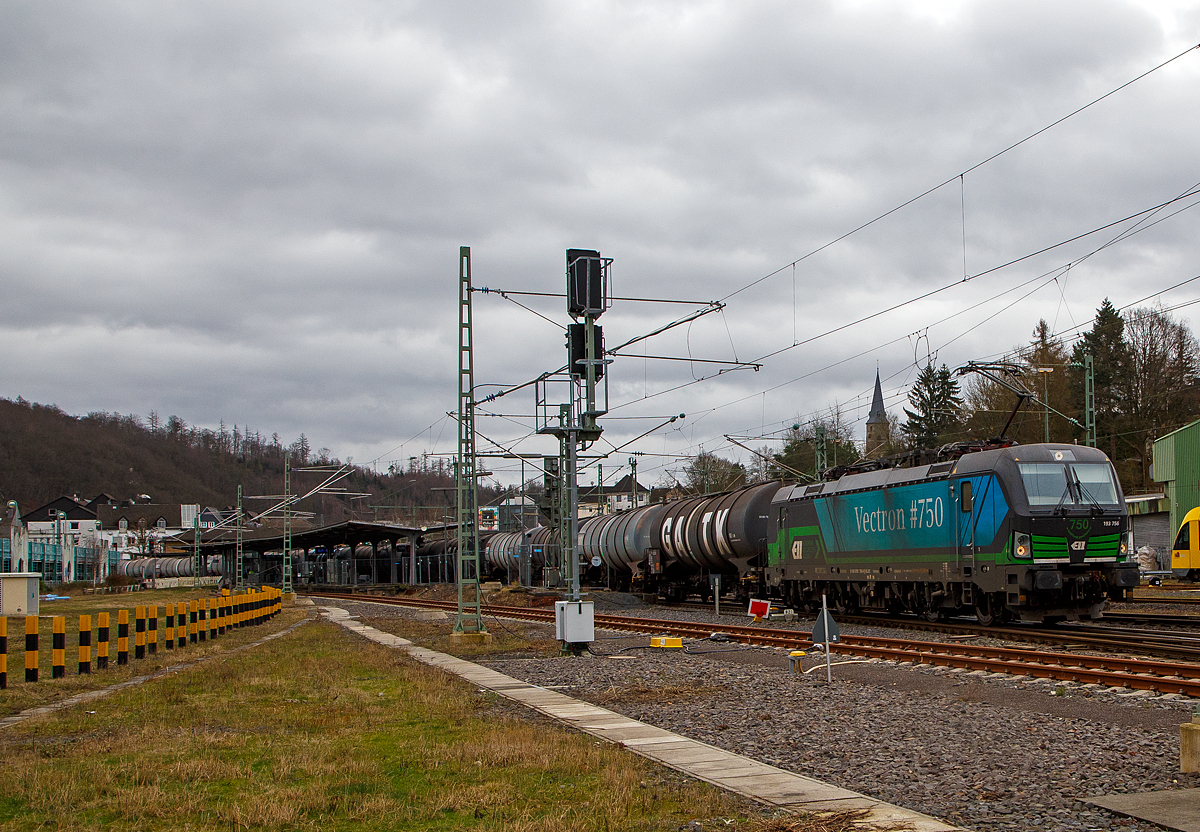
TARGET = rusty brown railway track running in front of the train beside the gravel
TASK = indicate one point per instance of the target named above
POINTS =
(1136, 674)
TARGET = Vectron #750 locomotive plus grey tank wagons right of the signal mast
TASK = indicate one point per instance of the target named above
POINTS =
(1035, 534)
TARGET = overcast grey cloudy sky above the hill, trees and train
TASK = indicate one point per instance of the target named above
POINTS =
(253, 213)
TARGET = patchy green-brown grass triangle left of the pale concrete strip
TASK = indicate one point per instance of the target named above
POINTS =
(321, 731)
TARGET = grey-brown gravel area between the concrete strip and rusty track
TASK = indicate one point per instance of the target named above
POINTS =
(987, 752)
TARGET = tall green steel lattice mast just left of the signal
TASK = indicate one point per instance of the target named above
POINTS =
(470, 624)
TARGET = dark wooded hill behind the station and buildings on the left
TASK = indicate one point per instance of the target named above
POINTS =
(46, 453)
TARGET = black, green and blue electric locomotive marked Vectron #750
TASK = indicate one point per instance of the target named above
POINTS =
(1036, 534)
